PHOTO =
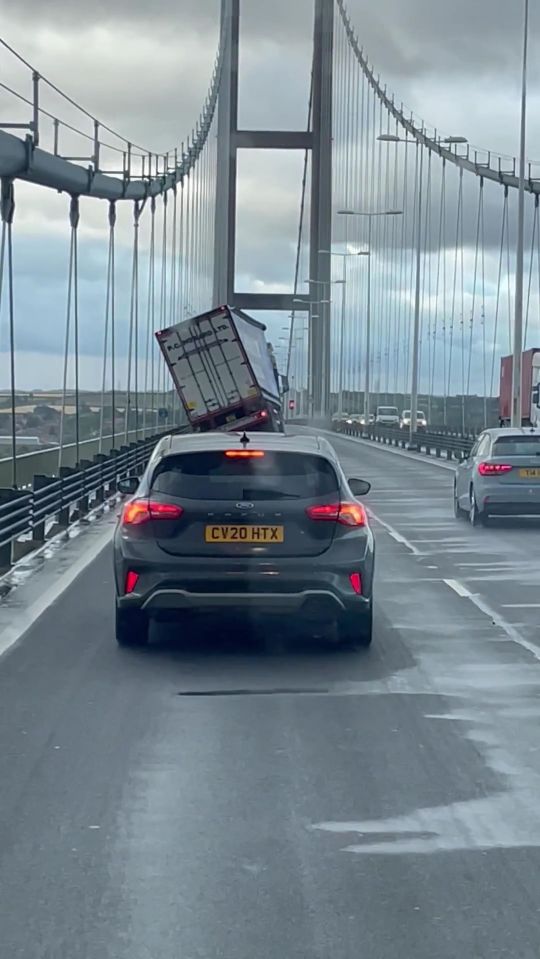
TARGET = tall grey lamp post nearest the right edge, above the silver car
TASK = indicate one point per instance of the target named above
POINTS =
(516, 418)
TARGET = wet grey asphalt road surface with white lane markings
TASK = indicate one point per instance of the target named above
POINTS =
(251, 796)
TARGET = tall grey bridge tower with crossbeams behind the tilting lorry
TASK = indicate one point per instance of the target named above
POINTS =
(318, 141)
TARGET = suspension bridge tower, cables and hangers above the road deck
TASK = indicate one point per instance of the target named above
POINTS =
(405, 266)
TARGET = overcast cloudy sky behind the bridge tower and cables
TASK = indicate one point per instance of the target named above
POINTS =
(144, 69)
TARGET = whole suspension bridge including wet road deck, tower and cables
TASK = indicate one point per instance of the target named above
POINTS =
(162, 809)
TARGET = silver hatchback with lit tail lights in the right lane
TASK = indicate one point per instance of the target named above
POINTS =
(500, 476)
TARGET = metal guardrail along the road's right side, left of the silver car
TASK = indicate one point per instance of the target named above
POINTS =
(447, 444)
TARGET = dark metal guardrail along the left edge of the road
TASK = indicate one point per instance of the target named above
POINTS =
(58, 501)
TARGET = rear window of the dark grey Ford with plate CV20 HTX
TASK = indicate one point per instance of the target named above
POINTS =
(211, 475)
